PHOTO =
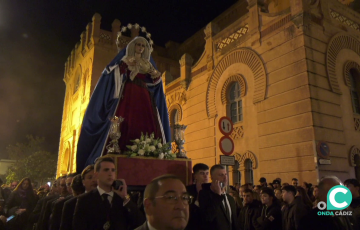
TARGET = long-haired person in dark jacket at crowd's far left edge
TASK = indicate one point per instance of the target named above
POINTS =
(21, 203)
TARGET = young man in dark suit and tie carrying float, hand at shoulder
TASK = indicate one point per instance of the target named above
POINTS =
(105, 207)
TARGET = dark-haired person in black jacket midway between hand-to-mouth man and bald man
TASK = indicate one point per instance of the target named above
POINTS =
(271, 211)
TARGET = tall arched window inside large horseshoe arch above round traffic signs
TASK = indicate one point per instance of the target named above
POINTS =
(235, 111)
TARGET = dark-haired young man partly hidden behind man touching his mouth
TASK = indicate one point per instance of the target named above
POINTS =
(201, 176)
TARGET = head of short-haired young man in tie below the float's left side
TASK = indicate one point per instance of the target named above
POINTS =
(105, 171)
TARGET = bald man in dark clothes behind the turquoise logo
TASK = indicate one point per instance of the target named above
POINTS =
(313, 221)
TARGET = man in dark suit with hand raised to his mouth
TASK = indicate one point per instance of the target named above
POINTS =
(218, 209)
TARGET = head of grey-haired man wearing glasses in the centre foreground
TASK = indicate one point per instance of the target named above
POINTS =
(166, 203)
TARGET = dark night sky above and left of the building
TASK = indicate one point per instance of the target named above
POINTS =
(37, 36)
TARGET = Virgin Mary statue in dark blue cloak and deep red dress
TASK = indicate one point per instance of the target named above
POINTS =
(130, 87)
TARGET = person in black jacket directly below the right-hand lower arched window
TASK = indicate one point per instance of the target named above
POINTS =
(250, 212)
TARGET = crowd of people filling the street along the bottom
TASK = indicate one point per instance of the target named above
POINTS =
(94, 200)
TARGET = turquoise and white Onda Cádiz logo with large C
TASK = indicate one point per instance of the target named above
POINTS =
(338, 198)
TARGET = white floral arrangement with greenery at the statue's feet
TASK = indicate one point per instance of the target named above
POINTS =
(148, 146)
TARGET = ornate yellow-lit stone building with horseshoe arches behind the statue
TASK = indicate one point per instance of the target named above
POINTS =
(287, 72)
